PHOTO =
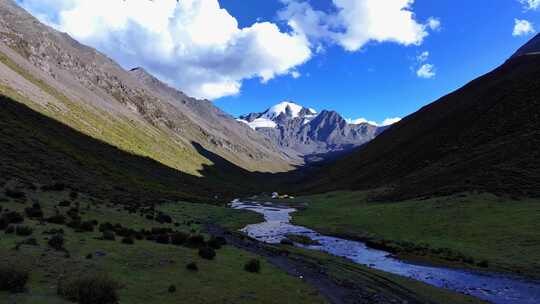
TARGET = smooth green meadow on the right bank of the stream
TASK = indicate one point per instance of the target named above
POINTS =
(464, 230)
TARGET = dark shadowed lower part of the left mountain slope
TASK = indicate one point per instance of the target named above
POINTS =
(39, 151)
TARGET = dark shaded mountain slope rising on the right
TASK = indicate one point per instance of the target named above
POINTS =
(485, 136)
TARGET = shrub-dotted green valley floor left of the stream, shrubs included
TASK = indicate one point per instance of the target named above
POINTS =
(67, 261)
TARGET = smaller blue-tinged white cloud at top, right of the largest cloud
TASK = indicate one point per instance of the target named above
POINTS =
(357, 22)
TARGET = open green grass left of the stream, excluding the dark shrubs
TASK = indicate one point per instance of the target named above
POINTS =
(146, 269)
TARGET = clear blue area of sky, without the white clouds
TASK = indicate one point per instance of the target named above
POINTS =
(377, 82)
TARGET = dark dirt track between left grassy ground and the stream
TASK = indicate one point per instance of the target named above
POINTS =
(333, 291)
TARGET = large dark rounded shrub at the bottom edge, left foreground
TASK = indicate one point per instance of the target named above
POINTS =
(90, 289)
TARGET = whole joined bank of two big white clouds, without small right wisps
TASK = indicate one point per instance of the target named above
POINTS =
(199, 47)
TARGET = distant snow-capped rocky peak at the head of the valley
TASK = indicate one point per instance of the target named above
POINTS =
(299, 130)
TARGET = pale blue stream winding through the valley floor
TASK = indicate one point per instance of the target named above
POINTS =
(494, 288)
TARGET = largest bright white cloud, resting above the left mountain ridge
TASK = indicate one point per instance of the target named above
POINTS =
(195, 44)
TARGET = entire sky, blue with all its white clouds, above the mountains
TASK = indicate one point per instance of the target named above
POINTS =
(244, 54)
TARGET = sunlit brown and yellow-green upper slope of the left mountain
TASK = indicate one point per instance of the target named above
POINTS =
(74, 84)
